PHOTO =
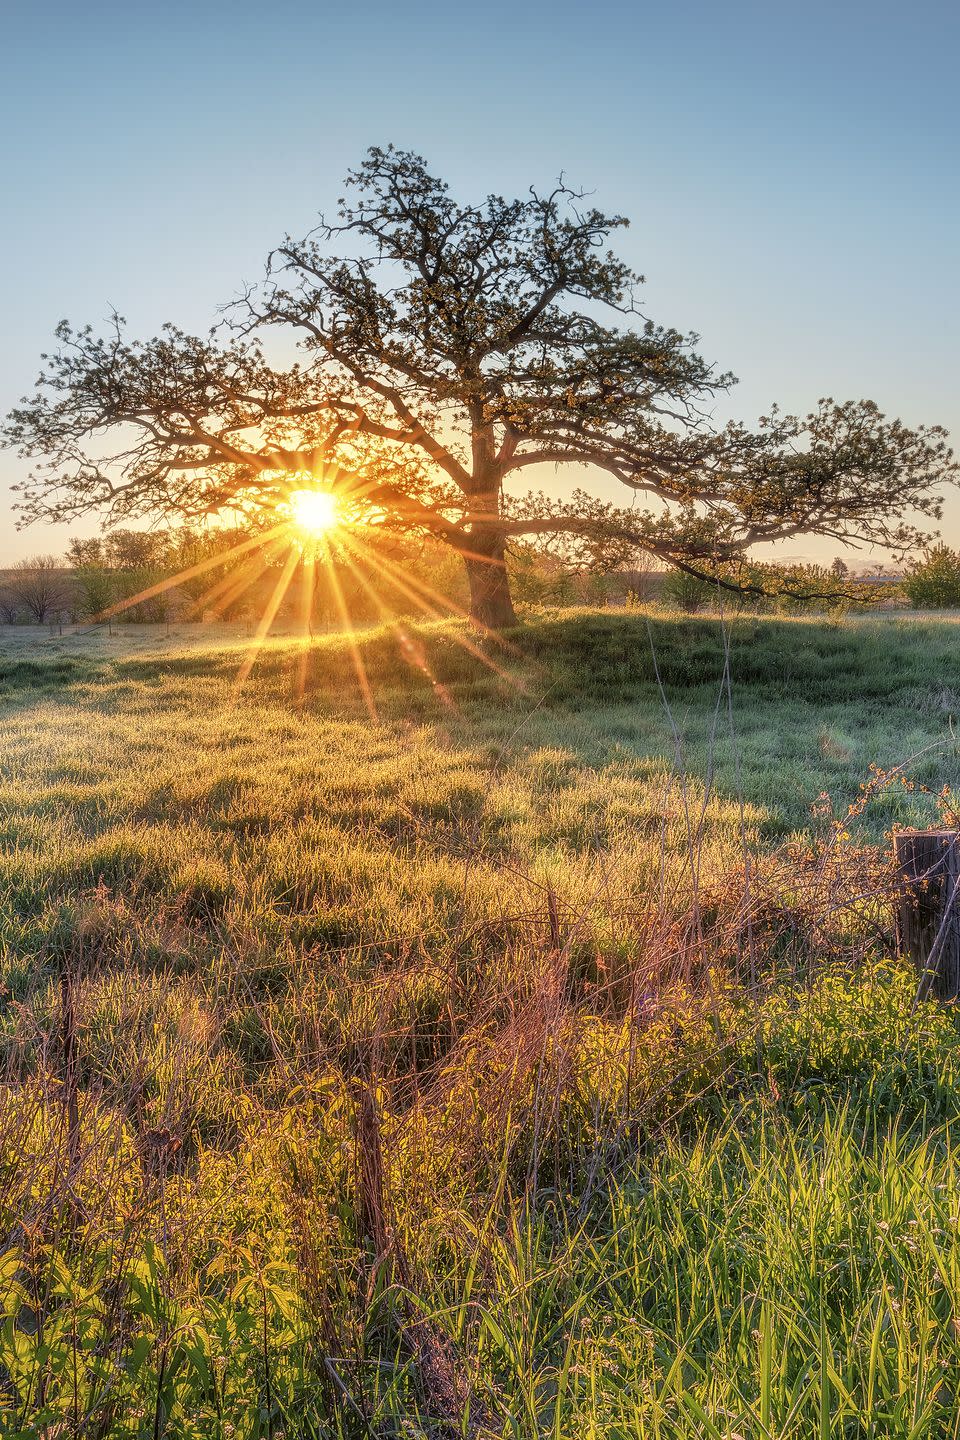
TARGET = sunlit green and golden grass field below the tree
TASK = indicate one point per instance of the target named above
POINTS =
(523, 1058)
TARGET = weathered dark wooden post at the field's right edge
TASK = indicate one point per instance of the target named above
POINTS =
(929, 912)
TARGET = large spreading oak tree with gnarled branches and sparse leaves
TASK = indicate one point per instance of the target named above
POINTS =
(444, 349)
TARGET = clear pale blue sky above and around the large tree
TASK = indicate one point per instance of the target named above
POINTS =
(791, 171)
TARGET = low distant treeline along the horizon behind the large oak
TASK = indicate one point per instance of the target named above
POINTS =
(195, 574)
